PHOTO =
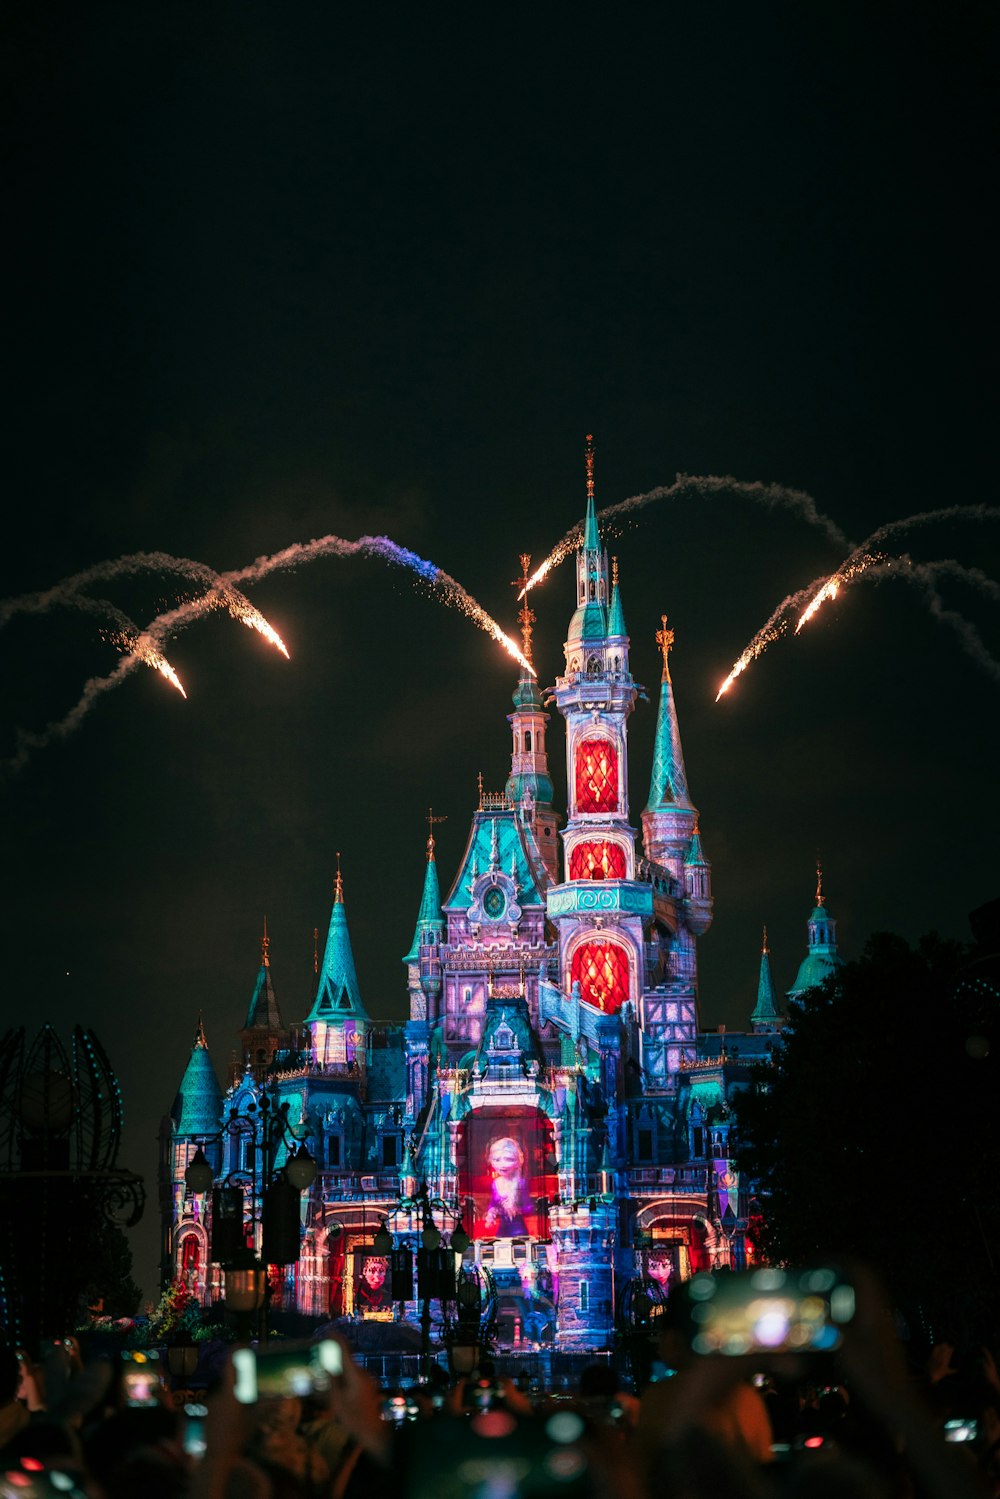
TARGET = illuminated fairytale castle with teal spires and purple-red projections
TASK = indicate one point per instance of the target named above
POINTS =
(552, 1097)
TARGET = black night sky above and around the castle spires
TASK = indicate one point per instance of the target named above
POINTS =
(277, 272)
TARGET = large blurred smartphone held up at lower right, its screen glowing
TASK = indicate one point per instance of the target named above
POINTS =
(770, 1311)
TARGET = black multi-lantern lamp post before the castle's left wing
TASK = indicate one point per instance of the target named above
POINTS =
(247, 1278)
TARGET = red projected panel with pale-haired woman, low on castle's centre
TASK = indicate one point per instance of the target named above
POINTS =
(507, 1170)
